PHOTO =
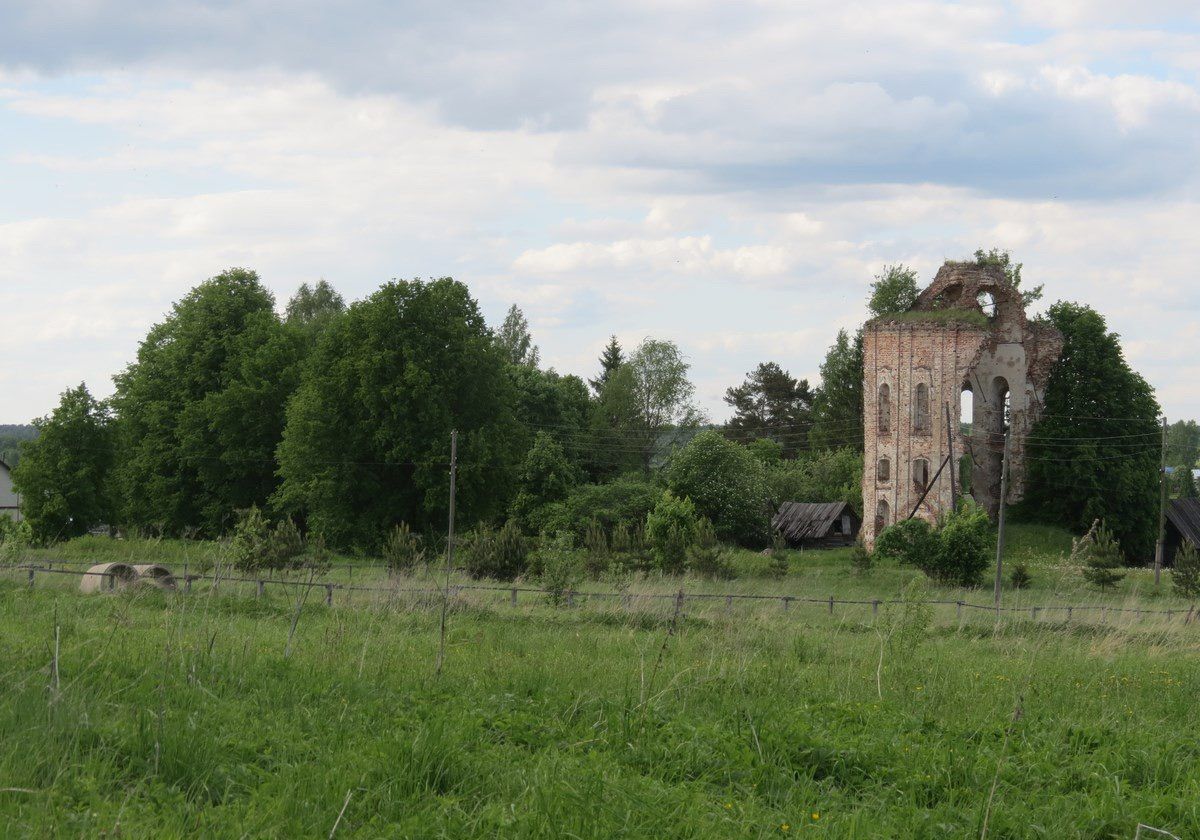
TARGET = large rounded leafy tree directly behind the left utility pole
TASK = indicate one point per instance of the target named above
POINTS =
(368, 439)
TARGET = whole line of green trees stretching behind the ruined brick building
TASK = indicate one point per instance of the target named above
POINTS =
(338, 418)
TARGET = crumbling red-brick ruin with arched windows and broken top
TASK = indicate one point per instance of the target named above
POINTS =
(968, 333)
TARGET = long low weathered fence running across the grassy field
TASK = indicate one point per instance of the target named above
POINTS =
(571, 596)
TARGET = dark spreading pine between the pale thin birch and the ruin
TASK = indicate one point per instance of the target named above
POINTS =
(771, 404)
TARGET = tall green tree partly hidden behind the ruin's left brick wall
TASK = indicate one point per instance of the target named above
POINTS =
(838, 406)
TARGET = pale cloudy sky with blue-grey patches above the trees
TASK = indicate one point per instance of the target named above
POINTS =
(728, 177)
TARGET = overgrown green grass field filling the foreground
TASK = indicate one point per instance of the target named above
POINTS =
(172, 716)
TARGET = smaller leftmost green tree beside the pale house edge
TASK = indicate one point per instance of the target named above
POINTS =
(63, 475)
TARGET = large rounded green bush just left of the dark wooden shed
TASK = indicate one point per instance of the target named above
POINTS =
(727, 483)
